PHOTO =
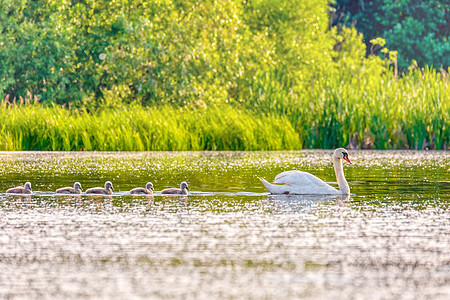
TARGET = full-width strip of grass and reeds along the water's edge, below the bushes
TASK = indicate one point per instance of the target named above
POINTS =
(411, 112)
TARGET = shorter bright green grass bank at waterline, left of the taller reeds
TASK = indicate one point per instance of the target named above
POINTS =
(135, 128)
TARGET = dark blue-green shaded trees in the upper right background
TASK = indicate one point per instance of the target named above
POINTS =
(418, 30)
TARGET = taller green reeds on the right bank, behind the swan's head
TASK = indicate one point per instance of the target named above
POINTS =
(409, 112)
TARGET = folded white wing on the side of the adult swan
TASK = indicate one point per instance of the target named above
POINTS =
(305, 183)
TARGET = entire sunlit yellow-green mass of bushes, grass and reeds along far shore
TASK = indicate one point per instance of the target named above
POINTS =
(208, 75)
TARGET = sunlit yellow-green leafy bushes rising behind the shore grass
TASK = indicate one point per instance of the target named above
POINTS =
(176, 52)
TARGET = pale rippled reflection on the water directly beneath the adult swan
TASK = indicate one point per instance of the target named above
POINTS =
(297, 203)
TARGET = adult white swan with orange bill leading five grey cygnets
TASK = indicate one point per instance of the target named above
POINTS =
(303, 183)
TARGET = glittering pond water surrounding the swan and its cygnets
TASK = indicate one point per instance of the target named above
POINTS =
(228, 238)
